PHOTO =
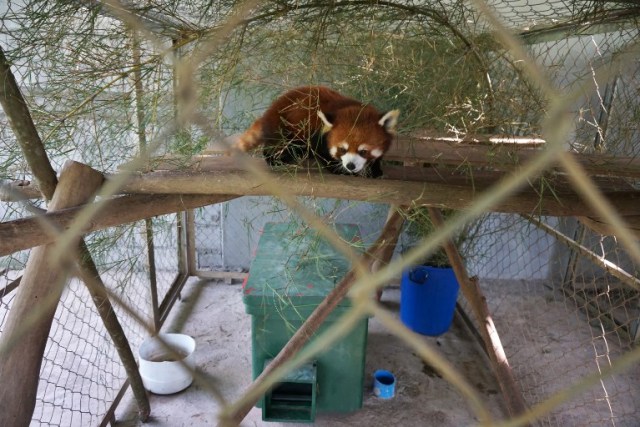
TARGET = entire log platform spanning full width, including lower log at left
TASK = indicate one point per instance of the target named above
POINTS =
(436, 171)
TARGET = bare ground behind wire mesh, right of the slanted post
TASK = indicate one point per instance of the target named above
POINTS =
(552, 345)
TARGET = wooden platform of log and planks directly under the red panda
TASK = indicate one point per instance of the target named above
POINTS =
(434, 171)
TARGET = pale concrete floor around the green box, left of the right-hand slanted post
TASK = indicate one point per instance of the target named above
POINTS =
(214, 314)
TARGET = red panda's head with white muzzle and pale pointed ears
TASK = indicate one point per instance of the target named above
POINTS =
(360, 137)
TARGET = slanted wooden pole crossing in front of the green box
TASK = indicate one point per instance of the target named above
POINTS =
(379, 252)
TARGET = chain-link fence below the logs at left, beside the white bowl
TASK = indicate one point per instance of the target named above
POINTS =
(82, 374)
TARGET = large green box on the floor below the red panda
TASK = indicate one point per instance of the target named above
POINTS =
(293, 270)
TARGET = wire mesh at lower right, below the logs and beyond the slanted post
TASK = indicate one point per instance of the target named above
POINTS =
(559, 318)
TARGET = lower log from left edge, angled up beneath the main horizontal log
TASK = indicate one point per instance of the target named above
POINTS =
(26, 233)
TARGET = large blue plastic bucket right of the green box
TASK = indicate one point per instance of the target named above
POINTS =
(428, 299)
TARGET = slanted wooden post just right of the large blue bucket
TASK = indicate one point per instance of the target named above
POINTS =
(471, 291)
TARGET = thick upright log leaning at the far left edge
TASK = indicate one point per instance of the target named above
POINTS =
(26, 330)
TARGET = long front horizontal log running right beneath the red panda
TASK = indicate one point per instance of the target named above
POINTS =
(225, 175)
